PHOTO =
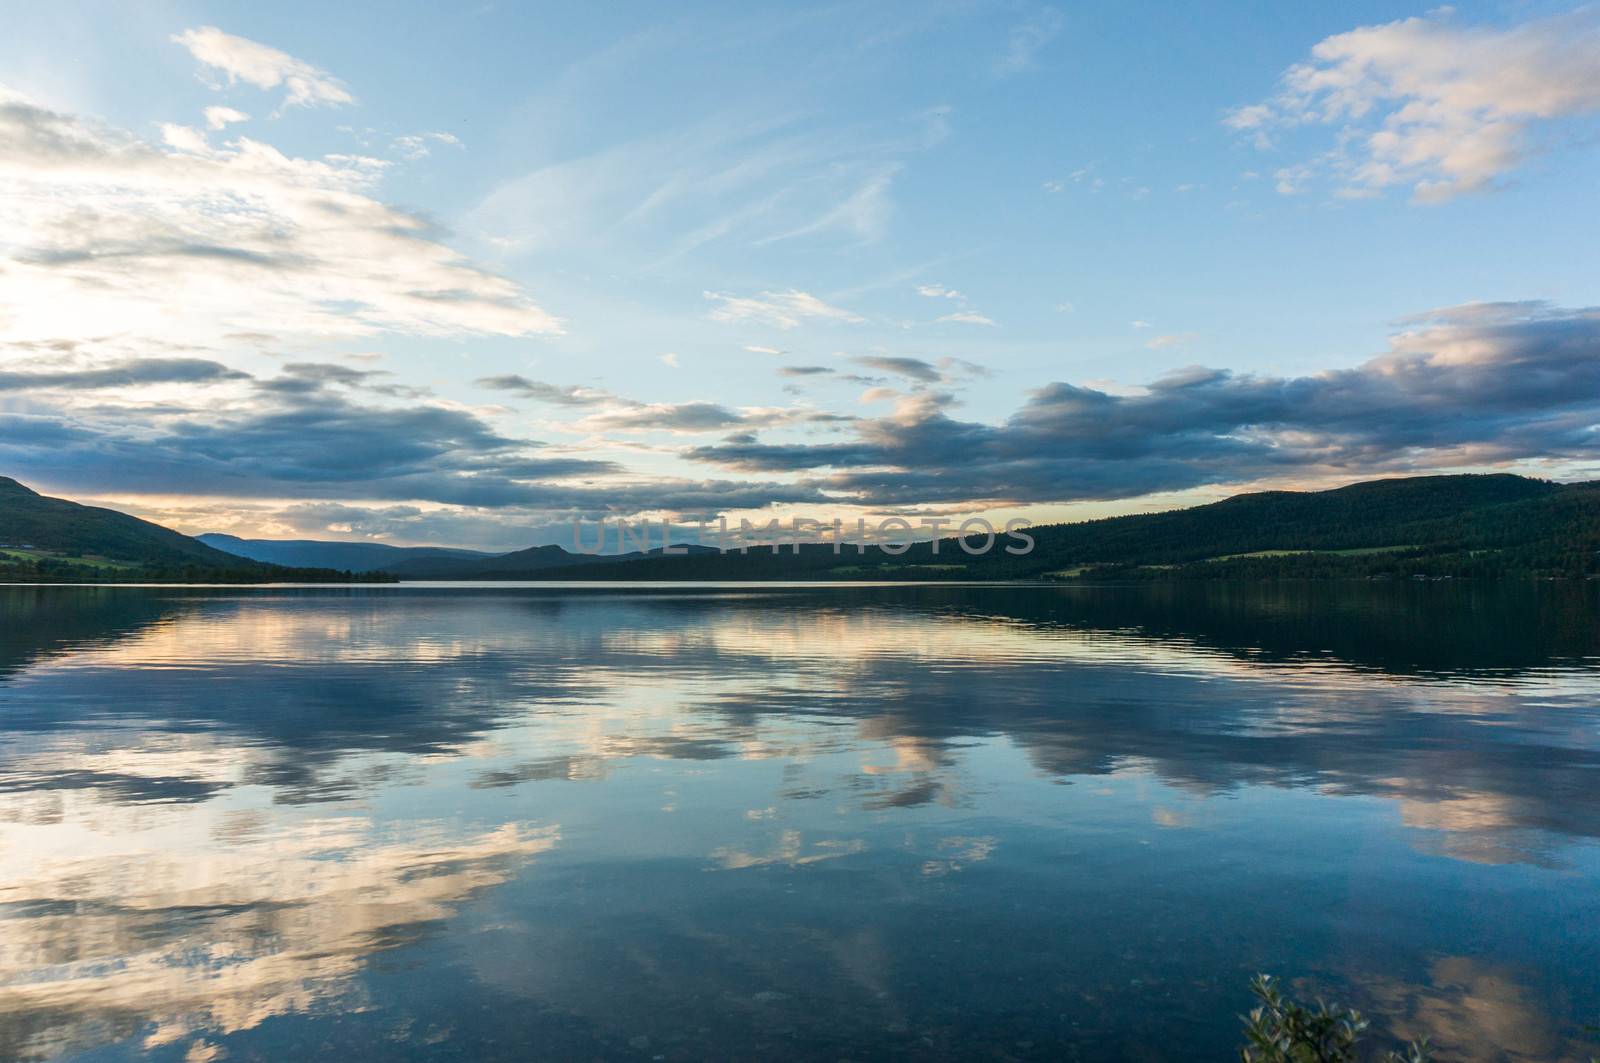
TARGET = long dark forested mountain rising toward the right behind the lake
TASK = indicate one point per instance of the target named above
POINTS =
(1438, 526)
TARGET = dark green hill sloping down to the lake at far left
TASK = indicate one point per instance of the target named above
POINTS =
(52, 540)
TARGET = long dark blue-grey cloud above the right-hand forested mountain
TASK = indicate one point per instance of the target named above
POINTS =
(1460, 388)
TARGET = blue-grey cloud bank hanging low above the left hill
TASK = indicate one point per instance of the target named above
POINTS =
(290, 436)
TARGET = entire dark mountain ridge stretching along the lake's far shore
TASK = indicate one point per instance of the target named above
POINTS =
(1434, 526)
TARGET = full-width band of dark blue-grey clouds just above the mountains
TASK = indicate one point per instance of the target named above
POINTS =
(1470, 387)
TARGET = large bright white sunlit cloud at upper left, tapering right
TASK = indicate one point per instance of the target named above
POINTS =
(188, 244)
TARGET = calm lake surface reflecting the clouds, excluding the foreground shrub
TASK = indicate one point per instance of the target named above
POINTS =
(766, 822)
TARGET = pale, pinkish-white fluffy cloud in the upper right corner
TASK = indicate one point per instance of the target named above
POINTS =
(1425, 103)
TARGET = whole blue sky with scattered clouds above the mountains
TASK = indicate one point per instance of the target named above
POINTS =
(465, 275)
